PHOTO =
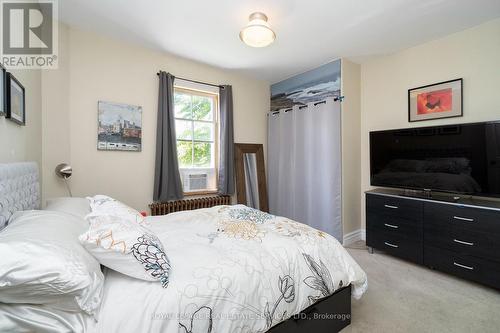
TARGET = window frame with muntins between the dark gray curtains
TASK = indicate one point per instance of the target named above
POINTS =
(215, 142)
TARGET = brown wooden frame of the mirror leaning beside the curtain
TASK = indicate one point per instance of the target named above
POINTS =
(250, 148)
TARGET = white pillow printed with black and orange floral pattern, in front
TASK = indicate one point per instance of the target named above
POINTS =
(126, 247)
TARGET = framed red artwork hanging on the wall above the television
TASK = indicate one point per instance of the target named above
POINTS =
(436, 101)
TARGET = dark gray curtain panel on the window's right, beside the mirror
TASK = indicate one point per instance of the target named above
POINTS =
(226, 141)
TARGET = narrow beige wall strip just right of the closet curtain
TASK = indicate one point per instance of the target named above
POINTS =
(351, 146)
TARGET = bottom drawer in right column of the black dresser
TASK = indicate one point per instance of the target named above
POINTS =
(465, 266)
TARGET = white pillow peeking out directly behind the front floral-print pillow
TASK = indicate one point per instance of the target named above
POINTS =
(104, 205)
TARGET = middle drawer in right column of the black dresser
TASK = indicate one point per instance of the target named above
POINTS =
(463, 241)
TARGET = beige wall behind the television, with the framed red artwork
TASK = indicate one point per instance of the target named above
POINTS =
(473, 54)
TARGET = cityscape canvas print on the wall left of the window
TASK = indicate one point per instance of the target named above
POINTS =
(120, 127)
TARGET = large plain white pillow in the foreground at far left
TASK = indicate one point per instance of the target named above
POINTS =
(42, 262)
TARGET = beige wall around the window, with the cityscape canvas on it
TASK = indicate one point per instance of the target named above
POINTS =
(98, 68)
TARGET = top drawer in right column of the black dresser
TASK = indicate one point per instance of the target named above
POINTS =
(465, 218)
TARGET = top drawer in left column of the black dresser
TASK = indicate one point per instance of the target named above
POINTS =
(393, 207)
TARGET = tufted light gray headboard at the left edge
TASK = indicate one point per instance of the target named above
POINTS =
(19, 189)
